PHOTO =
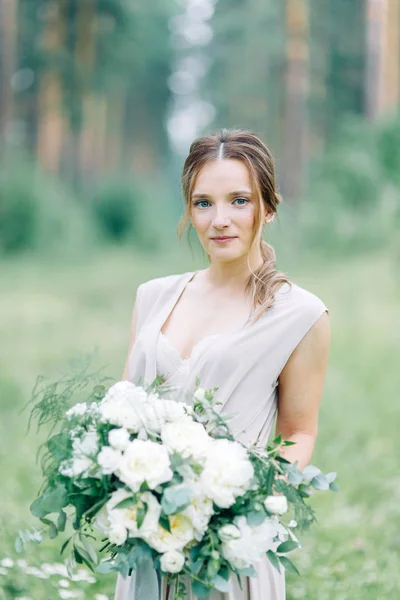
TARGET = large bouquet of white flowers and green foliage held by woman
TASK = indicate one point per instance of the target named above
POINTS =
(157, 486)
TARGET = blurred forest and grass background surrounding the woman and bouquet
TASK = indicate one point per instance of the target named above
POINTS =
(99, 101)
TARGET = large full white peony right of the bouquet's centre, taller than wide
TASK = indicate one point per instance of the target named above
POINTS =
(227, 472)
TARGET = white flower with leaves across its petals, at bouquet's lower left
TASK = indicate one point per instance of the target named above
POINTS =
(127, 517)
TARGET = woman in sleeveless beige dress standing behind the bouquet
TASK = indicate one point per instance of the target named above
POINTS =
(240, 324)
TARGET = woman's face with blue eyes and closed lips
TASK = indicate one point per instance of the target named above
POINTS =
(223, 205)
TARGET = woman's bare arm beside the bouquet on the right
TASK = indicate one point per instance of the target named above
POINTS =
(301, 384)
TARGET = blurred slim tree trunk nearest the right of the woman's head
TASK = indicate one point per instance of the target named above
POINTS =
(296, 86)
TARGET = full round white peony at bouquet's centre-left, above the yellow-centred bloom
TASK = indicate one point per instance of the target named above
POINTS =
(144, 461)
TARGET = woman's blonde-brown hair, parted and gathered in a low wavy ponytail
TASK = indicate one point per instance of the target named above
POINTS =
(245, 146)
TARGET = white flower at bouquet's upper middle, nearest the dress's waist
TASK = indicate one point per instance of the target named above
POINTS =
(186, 437)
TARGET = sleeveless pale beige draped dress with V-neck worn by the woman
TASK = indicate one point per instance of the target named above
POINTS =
(244, 362)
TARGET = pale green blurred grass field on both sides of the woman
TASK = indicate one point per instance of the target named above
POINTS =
(52, 312)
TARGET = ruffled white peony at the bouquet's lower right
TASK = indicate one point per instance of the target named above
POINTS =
(252, 544)
